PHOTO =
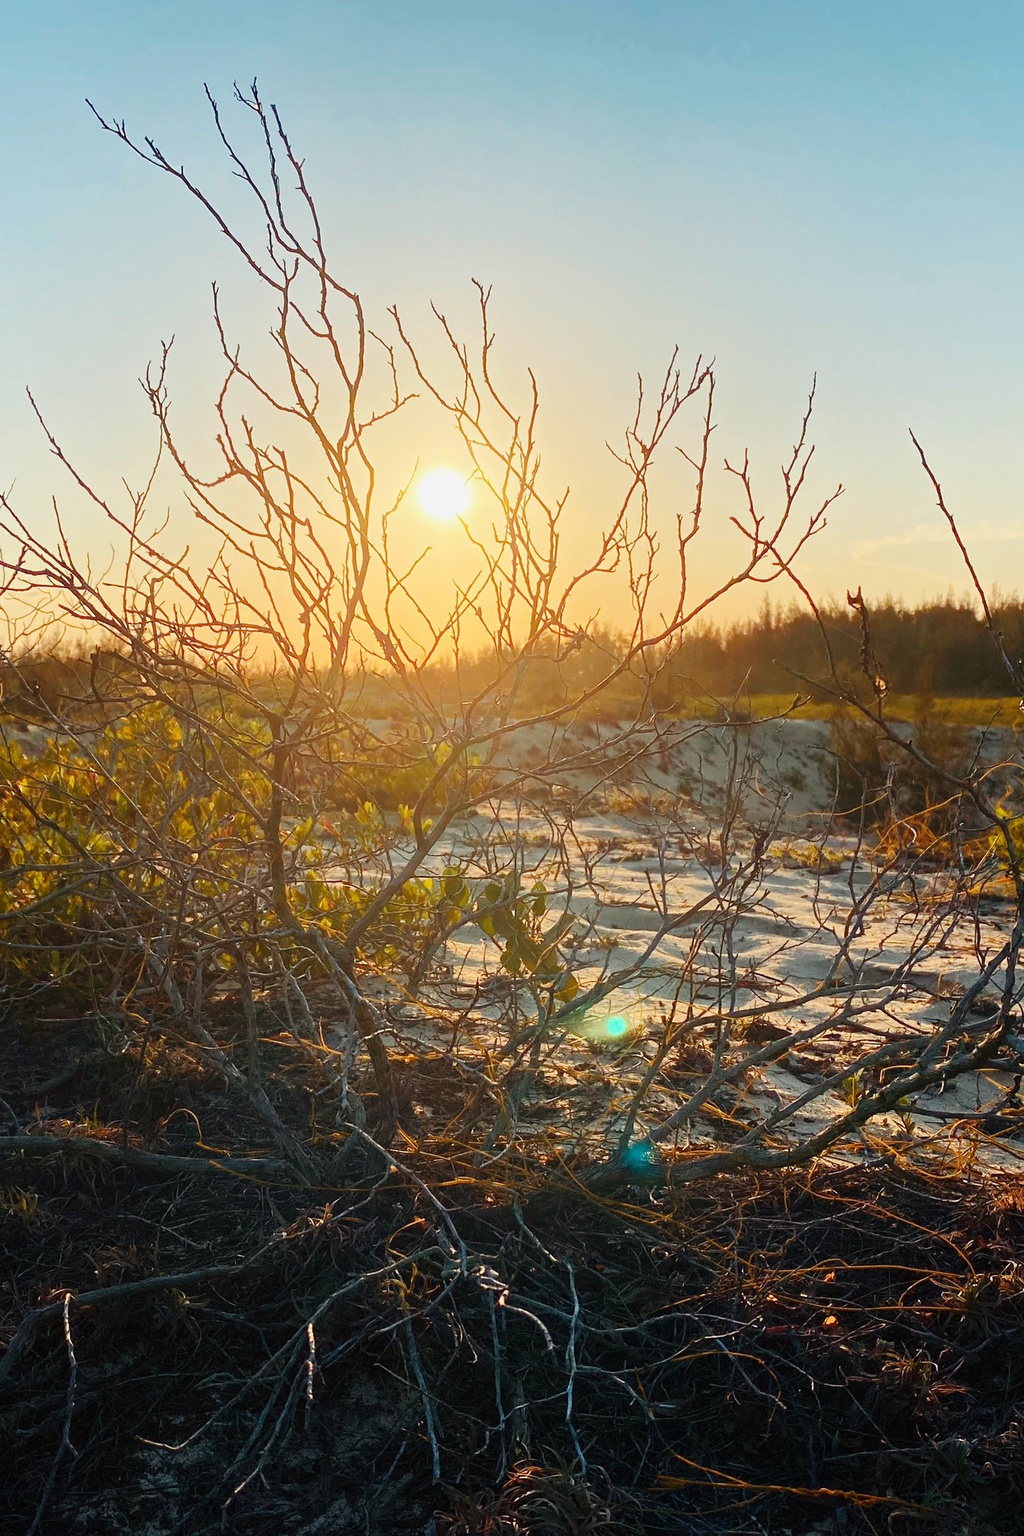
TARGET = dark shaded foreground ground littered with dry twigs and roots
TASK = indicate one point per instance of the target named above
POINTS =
(839, 1351)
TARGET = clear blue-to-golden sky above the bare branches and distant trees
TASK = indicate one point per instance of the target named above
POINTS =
(788, 187)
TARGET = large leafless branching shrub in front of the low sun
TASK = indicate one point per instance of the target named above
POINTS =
(385, 912)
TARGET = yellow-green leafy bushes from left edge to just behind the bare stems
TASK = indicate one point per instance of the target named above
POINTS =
(111, 833)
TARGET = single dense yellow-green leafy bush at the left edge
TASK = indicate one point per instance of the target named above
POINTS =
(110, 832)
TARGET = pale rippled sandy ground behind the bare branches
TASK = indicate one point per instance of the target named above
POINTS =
(635, 855)
